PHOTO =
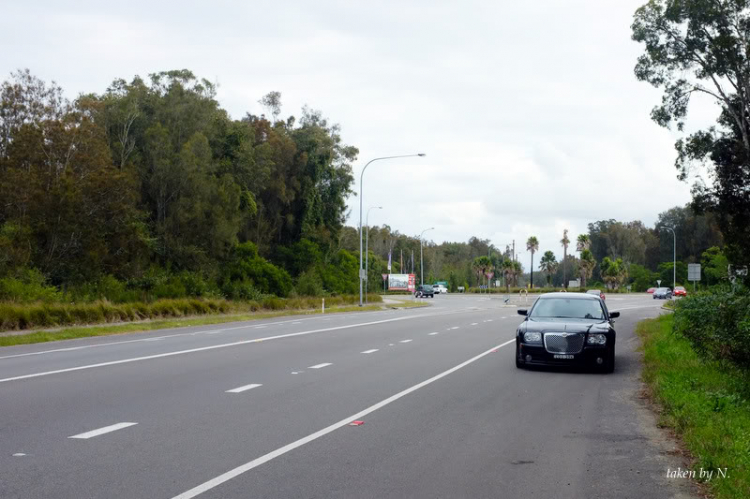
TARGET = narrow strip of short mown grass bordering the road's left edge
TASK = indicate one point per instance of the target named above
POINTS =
(137, 327)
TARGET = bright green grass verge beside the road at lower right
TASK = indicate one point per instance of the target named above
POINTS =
(706, 404)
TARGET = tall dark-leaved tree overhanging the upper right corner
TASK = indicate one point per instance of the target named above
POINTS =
(699, 48)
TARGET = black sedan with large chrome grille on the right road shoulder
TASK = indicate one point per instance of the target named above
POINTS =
(566, 329)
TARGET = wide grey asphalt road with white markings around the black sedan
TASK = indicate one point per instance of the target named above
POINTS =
(262, 409)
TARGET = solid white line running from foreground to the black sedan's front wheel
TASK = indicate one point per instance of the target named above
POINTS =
(225, 477)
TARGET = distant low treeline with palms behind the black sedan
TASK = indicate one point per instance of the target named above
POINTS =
(612, 254)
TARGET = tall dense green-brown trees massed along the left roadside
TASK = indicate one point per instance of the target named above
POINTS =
(151, 190)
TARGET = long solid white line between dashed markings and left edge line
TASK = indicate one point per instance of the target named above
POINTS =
(204, 349)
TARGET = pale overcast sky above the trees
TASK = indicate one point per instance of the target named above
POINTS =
(529, 113)
